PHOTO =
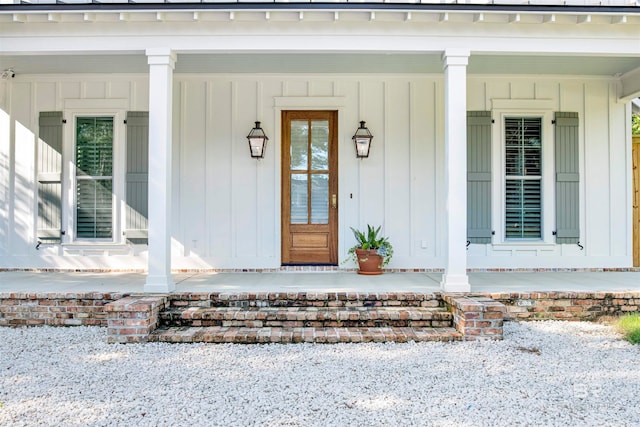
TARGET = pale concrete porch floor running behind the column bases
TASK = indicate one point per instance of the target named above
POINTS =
(20, 281)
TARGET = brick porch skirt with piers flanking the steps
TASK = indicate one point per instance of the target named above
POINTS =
(134, 318)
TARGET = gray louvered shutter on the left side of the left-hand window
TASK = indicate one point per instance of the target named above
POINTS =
(50, 177)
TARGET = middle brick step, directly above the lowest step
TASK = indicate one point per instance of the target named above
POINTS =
(316, 317)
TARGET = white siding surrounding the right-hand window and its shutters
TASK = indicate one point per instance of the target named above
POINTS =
(604, 169)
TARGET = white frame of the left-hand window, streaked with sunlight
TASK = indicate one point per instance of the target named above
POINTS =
(69, 181)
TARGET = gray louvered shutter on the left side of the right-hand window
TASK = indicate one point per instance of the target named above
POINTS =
(479, 176)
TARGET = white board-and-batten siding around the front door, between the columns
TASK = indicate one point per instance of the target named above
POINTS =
(232, 218)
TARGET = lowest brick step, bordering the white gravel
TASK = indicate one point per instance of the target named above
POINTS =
(221, 334)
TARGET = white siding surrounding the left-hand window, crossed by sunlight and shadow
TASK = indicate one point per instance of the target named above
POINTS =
(21, 101)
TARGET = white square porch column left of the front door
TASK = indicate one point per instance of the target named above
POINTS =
(161, 64)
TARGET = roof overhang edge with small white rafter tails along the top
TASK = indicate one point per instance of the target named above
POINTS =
(427, 12)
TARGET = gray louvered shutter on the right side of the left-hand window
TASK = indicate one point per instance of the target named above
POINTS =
(137, 200)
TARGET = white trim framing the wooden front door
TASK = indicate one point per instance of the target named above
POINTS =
(312, 103)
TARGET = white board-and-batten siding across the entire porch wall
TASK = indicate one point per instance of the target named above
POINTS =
(226, 204)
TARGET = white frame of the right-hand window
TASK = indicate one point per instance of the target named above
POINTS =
(519, 108)
